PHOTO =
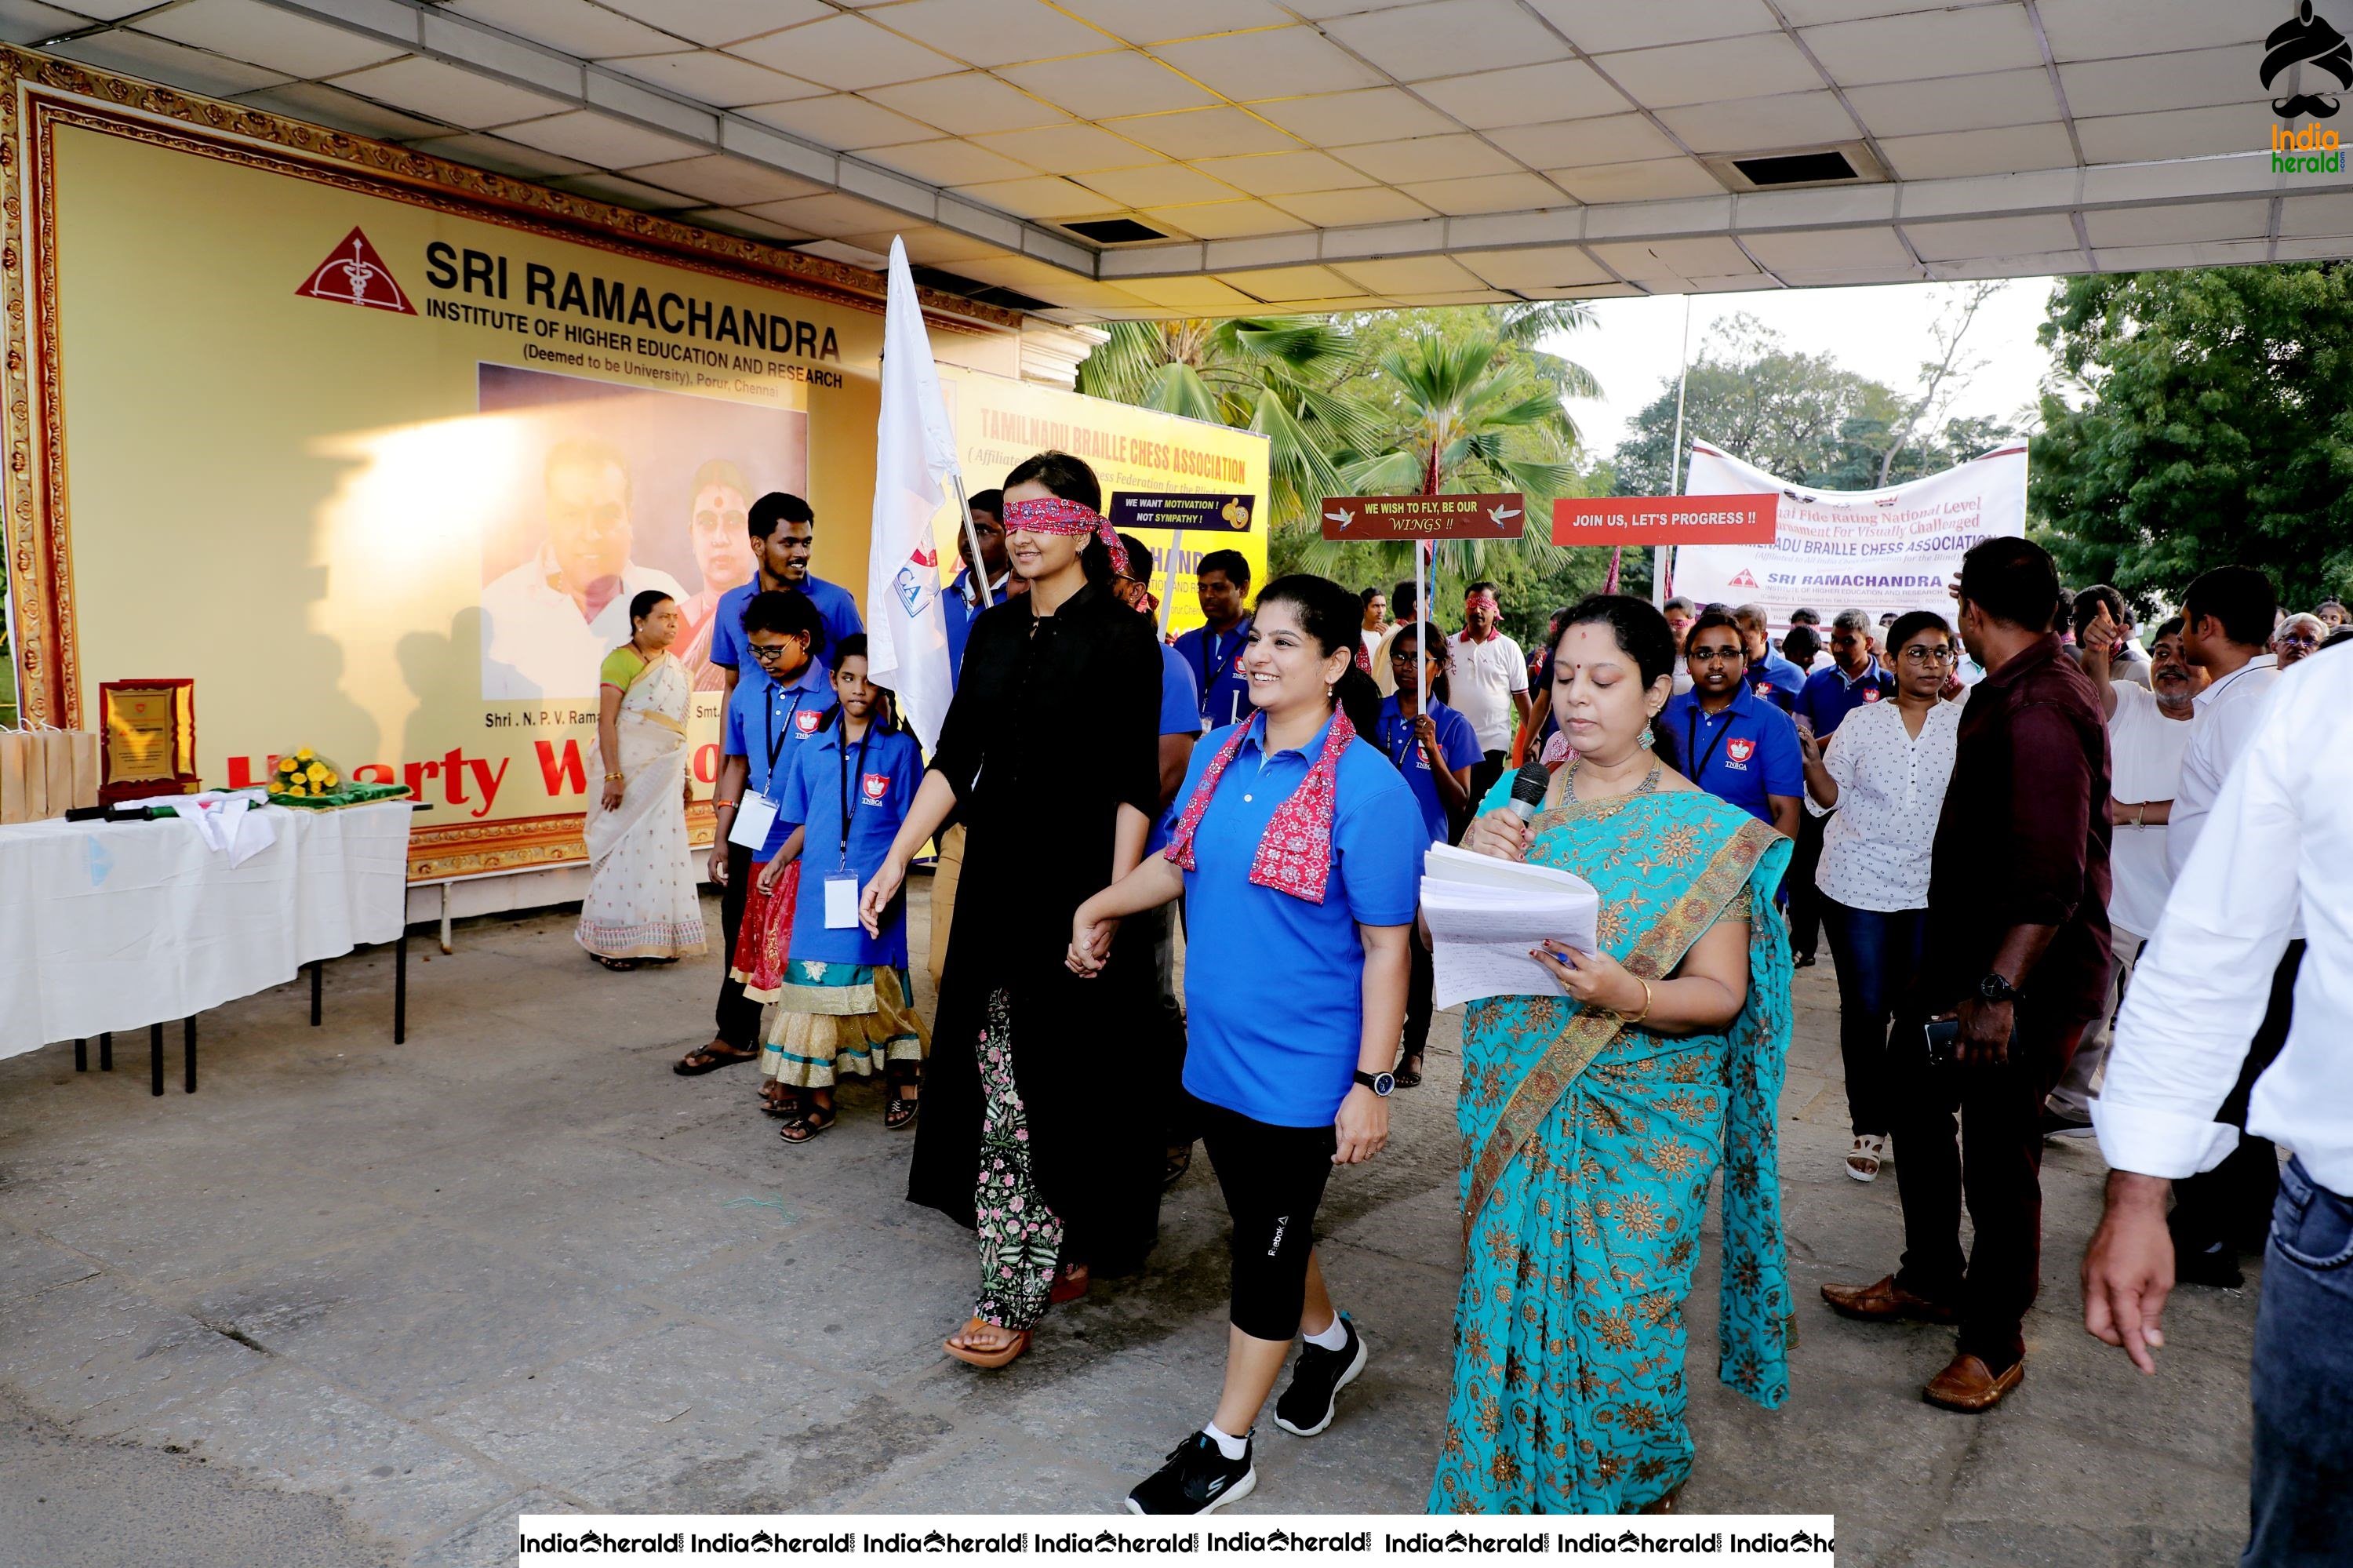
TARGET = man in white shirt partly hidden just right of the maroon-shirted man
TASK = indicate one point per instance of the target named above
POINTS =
(2149, 729)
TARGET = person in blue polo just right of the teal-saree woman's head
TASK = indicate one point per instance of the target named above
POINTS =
(1728, 740)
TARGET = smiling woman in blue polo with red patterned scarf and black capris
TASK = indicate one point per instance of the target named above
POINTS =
(1288, 858)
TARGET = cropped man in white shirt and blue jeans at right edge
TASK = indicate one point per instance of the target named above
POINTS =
(2284, 818)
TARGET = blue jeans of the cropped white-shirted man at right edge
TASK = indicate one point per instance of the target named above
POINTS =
(2305, 1383)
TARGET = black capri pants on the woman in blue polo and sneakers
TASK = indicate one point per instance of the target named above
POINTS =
(1274, 1185)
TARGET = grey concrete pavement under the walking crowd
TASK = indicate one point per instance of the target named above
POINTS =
(364, 1303)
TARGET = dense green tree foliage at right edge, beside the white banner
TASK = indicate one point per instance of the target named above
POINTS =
(2211, 427)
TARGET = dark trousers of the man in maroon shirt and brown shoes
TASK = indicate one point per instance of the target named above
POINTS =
(1994, 1164)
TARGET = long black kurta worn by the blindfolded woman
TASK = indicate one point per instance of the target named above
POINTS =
(1053, 729)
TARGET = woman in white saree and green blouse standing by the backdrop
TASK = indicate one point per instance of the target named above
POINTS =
(644, 905)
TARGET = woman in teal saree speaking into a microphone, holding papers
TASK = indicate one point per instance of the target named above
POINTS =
(1594, 1122)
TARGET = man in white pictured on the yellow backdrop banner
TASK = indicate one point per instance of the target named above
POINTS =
(549, 623)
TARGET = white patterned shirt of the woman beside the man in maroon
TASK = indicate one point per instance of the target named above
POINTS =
(1891, 792)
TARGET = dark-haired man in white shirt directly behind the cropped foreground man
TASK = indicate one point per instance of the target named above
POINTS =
(2225, 630)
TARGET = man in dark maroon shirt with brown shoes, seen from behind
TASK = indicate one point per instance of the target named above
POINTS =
(2020, 957)
